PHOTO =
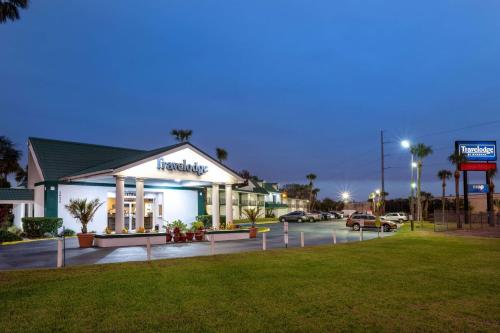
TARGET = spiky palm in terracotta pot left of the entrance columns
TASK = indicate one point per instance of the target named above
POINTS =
(84, 211)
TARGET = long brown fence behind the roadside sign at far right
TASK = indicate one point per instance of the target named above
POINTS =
(453, 220)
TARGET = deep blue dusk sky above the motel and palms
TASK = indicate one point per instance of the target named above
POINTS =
(287, 87)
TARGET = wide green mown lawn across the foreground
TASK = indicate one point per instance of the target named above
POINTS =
(409, 282)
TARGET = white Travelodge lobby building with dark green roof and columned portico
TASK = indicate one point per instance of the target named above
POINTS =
(140, 188)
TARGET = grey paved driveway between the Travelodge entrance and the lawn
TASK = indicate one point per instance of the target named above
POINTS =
(42, 254)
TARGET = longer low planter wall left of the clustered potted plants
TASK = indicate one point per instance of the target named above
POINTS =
(129, 239)
